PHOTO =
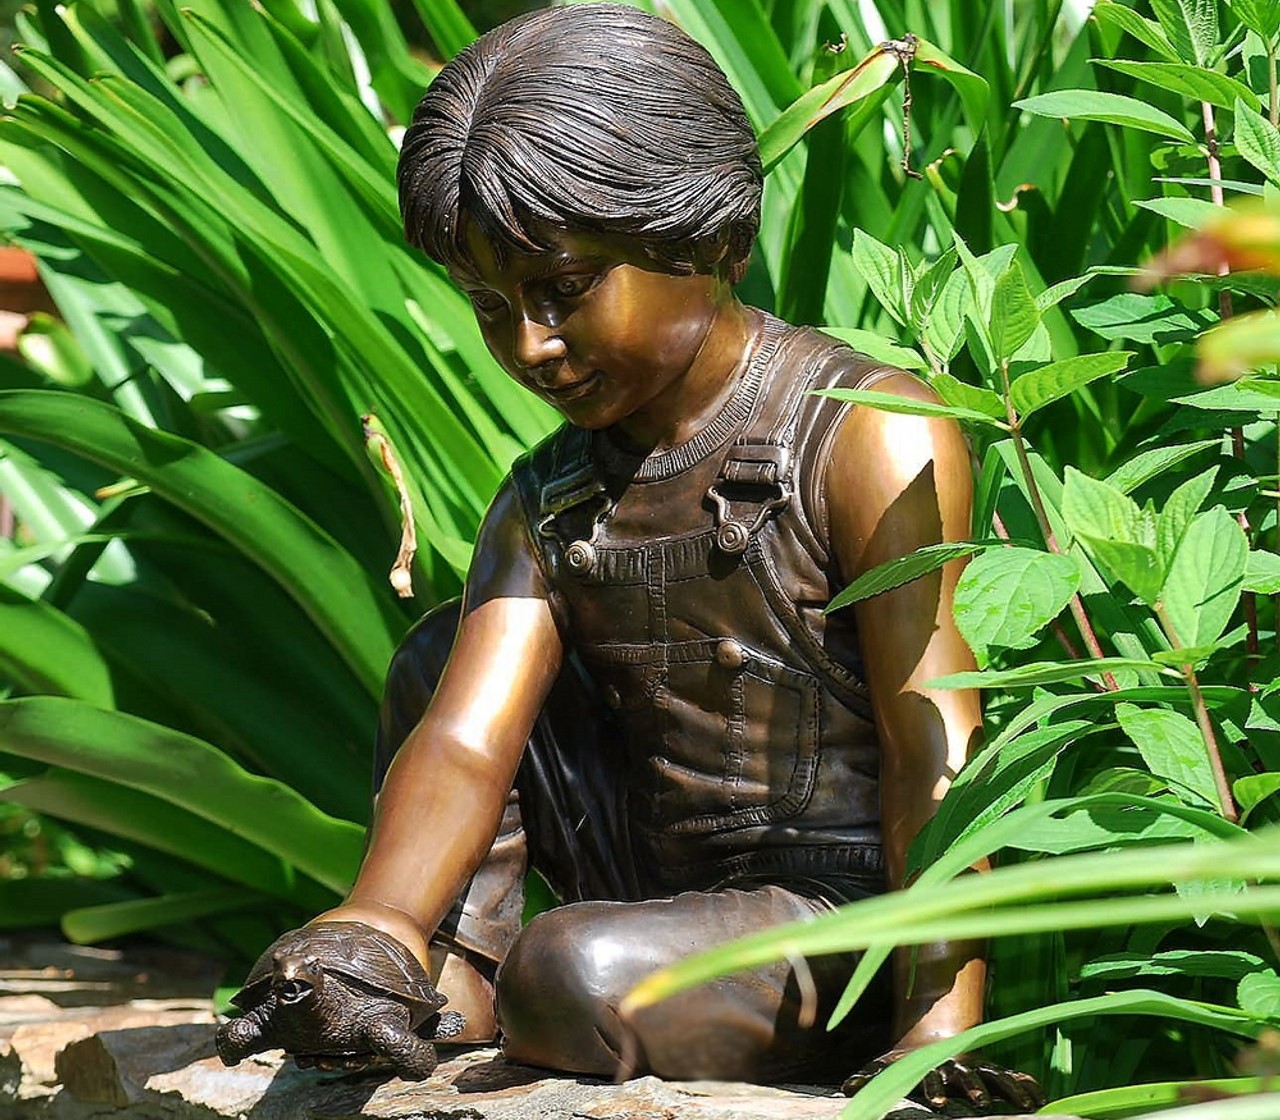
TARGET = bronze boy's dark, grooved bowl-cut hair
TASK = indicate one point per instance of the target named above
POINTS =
(597, 118)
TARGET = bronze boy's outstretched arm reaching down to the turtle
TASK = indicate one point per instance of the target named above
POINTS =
(444, 798)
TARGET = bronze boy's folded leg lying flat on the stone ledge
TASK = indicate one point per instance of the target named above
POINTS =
(563, 982)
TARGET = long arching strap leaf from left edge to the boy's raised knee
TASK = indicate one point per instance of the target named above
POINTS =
(331, 587)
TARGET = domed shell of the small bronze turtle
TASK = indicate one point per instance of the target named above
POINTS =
(355, 952)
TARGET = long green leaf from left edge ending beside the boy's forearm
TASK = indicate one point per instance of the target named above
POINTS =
(189, 774)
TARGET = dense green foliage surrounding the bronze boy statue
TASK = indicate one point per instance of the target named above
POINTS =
(195, 618)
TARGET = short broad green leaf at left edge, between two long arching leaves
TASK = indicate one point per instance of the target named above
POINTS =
(44, 651)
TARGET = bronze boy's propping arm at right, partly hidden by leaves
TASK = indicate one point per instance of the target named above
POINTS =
(895, 483)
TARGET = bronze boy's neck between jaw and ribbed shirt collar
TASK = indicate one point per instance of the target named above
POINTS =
(689, 404)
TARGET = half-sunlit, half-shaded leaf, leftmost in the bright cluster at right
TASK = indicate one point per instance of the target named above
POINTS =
(1119, 534)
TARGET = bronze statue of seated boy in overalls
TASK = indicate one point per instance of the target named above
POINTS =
(641, 696)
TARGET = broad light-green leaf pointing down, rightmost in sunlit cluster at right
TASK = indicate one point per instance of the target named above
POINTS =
(1204, 582)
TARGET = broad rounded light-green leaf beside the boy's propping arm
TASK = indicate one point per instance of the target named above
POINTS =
(1008, 595)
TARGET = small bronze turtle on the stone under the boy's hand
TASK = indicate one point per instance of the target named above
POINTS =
(342, 994)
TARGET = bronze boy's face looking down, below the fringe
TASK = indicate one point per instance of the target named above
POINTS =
(591, 326)
